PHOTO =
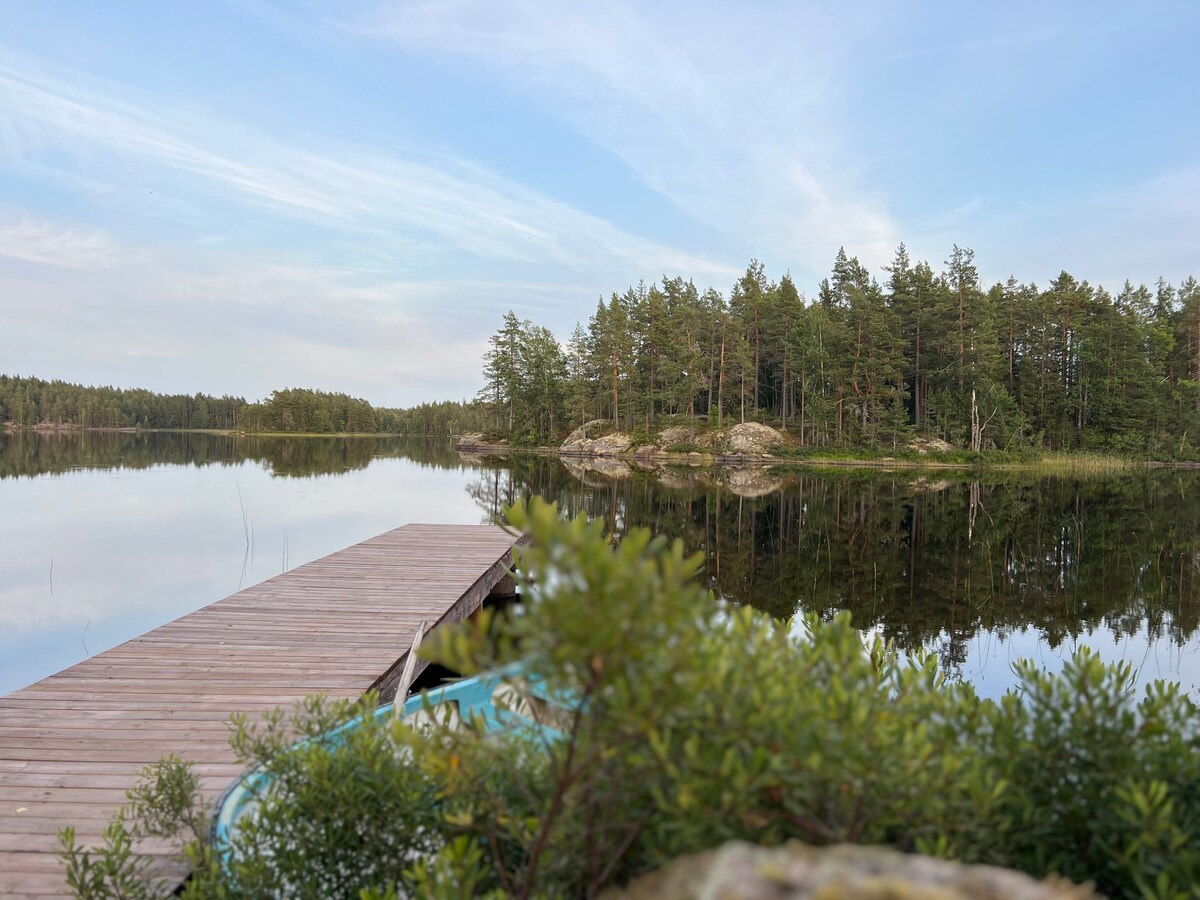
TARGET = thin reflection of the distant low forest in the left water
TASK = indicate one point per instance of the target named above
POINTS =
(29, 454)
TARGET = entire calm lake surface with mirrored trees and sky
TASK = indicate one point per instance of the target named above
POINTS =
(104, 537)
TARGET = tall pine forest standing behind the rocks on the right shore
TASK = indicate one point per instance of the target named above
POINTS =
(869, 362)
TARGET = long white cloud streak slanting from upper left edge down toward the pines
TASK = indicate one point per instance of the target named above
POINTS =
(353, 190)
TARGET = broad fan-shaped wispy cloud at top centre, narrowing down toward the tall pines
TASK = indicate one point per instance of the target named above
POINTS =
(735, 119)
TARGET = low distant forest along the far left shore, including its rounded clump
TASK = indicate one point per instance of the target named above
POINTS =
(35, 403)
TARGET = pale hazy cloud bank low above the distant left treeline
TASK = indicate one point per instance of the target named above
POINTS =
(226, 322)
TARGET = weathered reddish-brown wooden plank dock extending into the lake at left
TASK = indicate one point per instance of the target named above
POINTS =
(74, 743)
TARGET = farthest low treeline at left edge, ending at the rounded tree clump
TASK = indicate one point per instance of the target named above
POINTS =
(33, 401)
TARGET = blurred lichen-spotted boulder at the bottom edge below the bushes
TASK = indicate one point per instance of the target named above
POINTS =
(797, 872)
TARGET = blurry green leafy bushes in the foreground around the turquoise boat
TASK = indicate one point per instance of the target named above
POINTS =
(691, 724)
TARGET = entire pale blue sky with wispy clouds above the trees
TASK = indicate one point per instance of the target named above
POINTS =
(233, 197)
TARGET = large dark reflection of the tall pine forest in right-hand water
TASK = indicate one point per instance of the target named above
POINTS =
(927, 562)
